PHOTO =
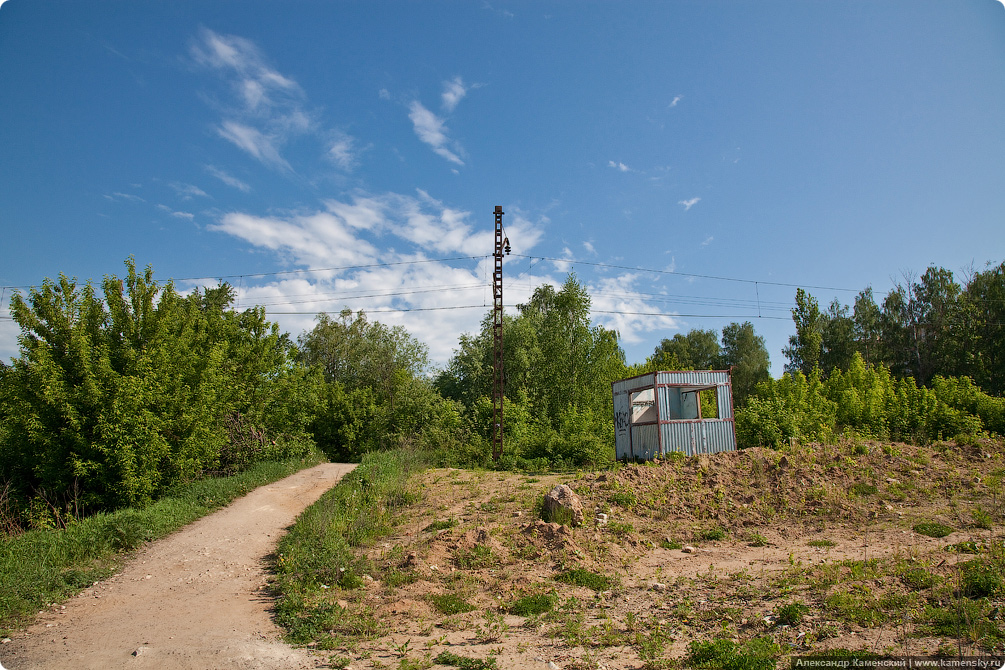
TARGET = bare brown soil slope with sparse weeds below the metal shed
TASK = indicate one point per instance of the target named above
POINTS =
(700, 549)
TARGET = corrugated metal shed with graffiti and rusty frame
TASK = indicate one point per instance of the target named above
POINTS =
(658, 413)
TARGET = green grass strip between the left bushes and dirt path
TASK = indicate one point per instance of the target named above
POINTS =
(43, 568)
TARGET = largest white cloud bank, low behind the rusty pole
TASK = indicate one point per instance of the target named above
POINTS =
(375, 241)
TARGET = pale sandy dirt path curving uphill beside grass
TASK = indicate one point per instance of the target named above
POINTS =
(193, 600)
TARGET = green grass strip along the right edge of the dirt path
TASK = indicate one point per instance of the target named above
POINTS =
(320, 552)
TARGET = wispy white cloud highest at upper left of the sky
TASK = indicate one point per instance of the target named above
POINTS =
(269, 107)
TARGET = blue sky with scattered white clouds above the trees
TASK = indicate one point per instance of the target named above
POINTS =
(692, 162)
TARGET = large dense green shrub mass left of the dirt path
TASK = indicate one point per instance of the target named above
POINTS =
(114, 400)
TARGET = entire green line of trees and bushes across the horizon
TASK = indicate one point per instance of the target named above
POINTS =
(117, 397)
